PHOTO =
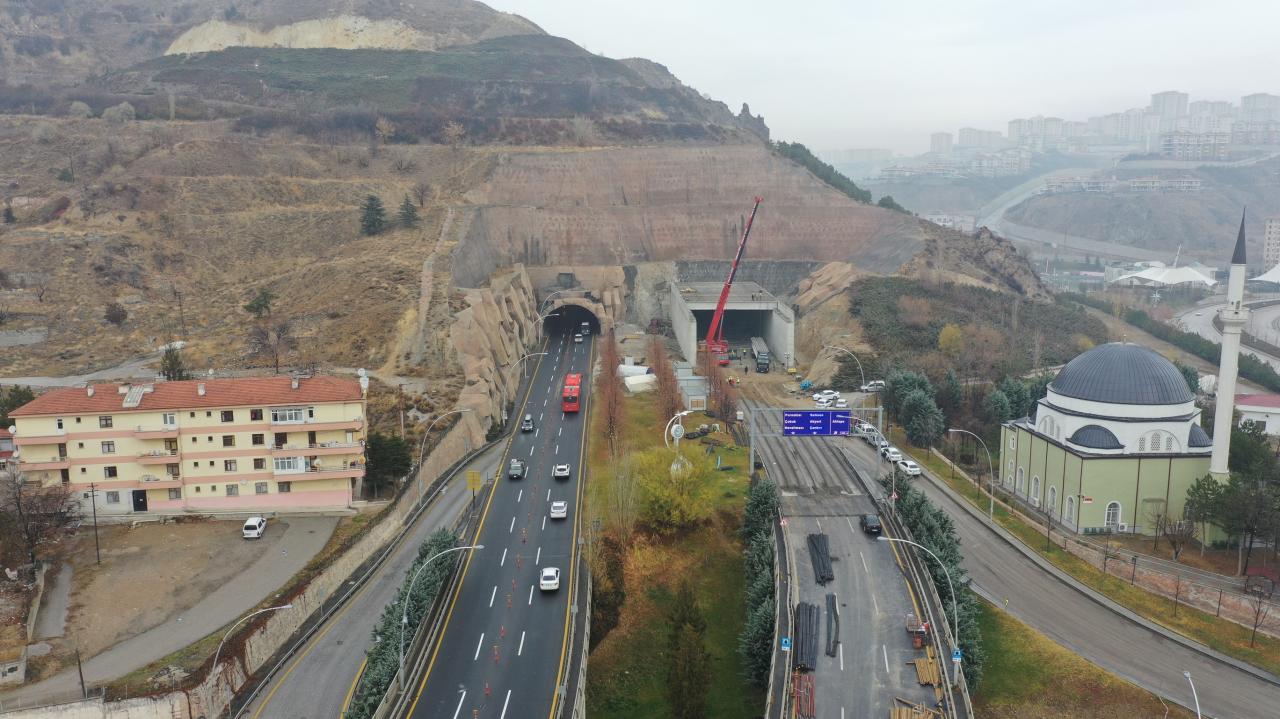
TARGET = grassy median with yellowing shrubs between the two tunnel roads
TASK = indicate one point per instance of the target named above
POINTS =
(628, 671)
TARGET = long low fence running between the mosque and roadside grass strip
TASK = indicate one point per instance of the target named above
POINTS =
(1208, 592)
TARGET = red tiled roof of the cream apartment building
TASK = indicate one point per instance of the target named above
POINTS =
(185, 395)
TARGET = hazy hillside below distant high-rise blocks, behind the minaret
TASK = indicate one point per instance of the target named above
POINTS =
(1203, 223)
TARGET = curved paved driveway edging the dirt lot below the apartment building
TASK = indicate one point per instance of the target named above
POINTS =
(303, 539)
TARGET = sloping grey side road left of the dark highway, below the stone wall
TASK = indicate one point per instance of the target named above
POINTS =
(318, 681)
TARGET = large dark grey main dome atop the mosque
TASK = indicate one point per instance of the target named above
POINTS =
(1122, 374)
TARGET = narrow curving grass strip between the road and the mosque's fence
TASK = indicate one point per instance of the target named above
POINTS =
(1220, 635)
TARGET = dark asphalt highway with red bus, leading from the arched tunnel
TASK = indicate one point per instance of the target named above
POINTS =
(502, 648)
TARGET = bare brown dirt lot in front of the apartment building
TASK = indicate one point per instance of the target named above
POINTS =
(149, 575)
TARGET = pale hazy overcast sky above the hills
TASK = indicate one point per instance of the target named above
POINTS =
(886, 74)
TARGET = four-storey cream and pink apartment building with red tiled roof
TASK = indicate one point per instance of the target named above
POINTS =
(221, 445)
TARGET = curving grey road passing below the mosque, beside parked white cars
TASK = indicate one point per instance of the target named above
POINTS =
(1091, 630)
